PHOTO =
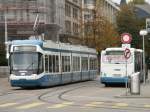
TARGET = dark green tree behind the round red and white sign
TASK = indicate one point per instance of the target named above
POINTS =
(128, 22)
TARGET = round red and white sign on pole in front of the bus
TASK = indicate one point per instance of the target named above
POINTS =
(126, 38)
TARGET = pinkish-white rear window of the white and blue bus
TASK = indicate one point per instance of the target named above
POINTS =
(115, 57)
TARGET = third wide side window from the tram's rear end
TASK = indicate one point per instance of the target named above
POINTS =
(76, 63)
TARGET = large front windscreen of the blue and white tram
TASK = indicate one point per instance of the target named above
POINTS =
(25, 61)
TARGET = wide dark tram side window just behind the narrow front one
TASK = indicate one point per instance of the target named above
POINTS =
(53, 63)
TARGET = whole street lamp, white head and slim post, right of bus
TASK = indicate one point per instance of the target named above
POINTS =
(143, 33)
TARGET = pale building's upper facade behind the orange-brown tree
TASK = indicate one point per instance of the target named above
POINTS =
(108, 9)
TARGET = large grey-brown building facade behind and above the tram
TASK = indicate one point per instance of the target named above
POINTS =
(56, 18)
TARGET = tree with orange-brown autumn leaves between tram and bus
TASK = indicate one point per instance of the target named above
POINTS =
(101, 33)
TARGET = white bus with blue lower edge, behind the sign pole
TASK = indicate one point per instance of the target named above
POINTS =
(113, 65)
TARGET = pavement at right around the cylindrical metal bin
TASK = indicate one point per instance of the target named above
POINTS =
(144, 91)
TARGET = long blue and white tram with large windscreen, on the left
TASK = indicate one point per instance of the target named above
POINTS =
(46, 63)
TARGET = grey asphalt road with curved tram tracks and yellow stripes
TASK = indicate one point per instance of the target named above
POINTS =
(90, 96)
